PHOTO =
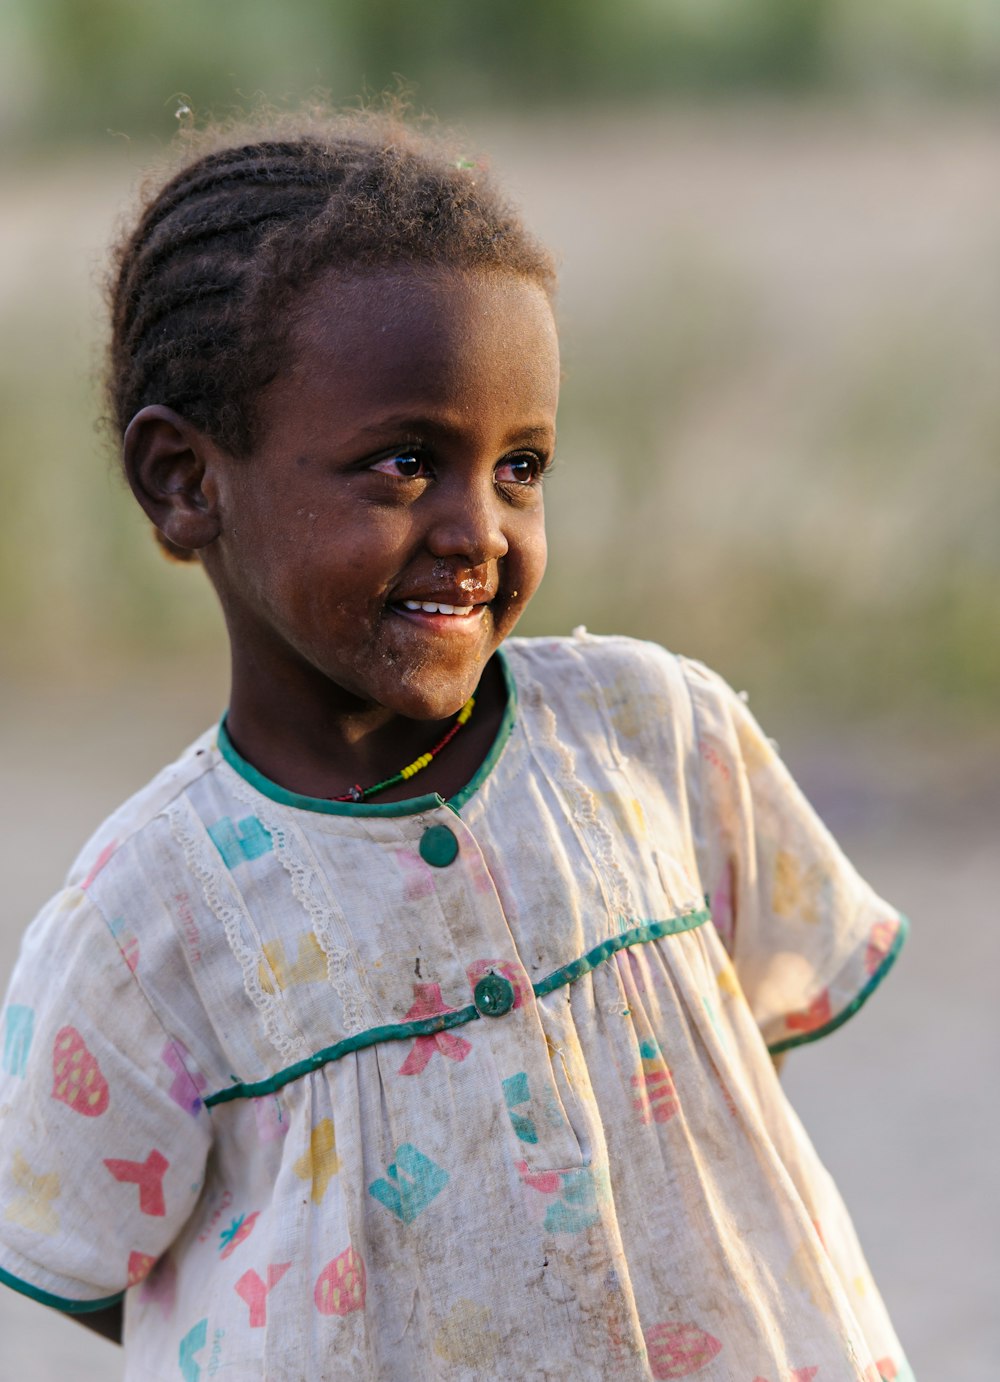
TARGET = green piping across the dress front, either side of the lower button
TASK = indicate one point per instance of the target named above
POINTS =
(639, 935)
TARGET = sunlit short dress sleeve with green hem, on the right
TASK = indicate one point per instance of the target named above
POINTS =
(809, 939)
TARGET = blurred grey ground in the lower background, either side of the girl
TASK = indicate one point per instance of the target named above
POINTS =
(897, 1101)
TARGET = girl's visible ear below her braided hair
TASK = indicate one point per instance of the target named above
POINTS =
(171, 469)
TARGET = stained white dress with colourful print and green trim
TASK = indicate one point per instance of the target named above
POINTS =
(454, 1090)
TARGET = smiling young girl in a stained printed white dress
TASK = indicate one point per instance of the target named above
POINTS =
(415, 1023)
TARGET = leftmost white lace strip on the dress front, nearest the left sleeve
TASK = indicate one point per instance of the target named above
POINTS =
(187, 829)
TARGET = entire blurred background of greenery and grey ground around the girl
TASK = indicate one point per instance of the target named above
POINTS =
(780, 229)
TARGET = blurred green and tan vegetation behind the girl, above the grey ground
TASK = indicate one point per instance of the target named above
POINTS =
(780, 428)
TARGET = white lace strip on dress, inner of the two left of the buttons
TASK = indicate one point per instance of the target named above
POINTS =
(329, 925)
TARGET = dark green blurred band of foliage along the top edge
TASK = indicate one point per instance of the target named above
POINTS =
(75, 70)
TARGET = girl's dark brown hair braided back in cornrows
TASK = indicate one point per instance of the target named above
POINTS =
(202, 285)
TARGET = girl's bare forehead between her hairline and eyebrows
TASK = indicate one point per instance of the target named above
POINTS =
(416, 337)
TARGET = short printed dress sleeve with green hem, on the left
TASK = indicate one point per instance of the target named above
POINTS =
(103, 1133)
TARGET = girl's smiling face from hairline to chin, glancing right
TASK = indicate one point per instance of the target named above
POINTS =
(387, 533)
